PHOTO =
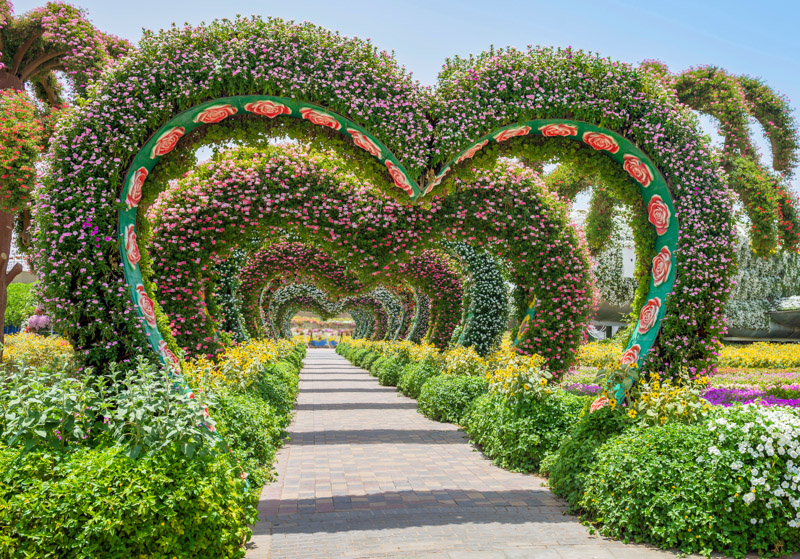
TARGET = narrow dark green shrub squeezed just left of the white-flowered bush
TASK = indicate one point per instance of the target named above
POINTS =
(570, 464)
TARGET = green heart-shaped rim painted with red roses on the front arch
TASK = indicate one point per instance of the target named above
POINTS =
(653, 187)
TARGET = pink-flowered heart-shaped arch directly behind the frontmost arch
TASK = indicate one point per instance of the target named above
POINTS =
(245, 191)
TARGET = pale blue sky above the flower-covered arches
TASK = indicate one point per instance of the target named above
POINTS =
(760, 39)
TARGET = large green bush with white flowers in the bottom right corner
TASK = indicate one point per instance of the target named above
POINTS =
(729, 484)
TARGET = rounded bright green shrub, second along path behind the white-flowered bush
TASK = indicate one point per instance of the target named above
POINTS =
(517, 434)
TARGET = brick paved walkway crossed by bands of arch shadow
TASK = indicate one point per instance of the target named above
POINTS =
(365, 475)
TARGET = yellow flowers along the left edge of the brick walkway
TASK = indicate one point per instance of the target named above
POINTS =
(238, 366)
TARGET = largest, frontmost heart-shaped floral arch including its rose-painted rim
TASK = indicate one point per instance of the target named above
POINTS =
(406, 140)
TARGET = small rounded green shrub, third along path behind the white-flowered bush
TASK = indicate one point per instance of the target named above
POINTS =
(447, 397)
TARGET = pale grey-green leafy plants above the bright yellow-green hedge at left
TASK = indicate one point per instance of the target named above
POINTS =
(138, 410)
